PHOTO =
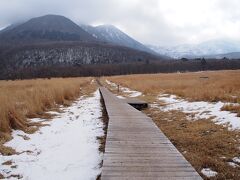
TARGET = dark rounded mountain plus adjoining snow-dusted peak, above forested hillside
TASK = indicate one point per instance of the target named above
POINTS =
(54, 28)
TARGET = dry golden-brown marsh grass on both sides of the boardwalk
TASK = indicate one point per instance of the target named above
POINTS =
(204, 143)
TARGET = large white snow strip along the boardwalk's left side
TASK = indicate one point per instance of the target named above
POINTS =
(66, 149)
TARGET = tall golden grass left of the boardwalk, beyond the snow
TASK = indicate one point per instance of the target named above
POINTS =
(25, 99)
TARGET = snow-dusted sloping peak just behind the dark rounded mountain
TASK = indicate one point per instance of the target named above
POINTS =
(113, 35)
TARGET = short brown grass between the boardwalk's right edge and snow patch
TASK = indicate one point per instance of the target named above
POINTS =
(203, 143)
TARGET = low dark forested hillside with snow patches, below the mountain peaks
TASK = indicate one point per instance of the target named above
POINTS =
(68, 54)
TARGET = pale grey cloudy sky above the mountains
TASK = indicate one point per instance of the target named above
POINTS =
(159, 22)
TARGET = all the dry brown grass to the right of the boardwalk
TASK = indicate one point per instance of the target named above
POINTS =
(204, 143)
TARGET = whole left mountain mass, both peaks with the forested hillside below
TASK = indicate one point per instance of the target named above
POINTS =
(55, 41)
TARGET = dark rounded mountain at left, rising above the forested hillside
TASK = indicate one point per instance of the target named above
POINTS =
(44, 29)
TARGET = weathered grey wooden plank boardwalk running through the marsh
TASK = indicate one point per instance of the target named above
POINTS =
(137, 149)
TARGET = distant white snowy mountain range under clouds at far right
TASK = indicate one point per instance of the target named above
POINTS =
(210, 48)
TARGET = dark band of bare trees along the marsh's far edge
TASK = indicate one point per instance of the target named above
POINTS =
(168, 66)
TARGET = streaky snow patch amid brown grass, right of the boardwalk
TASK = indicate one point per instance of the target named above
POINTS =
(201, 110)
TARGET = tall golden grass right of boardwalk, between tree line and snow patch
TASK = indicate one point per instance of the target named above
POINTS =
(220, 85)
